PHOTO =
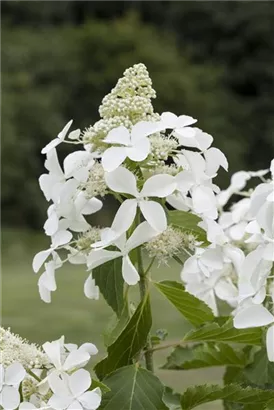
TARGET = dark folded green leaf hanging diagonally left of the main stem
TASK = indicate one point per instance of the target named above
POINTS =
(129, 343)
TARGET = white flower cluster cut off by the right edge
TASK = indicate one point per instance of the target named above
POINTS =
(237, 266)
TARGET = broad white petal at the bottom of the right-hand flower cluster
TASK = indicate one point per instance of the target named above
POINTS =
(253, 316)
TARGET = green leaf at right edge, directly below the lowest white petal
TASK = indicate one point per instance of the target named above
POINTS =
(261, 371)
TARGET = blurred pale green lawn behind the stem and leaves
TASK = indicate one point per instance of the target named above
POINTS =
(71, 314)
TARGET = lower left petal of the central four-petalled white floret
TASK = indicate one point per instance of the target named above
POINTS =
(124, 216)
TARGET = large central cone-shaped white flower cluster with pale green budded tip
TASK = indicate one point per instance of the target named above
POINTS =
(150, 164)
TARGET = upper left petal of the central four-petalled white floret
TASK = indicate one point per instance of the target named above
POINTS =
(122, 180)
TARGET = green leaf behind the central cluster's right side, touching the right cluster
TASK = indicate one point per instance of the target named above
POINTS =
(187, 222)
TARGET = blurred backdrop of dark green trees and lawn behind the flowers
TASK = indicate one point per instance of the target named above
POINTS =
(210, 59)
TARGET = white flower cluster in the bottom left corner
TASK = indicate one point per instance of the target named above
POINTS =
(56, 380)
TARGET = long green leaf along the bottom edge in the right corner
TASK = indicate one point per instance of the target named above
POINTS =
(195, 396)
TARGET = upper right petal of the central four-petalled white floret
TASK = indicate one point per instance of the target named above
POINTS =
(159, 185)
